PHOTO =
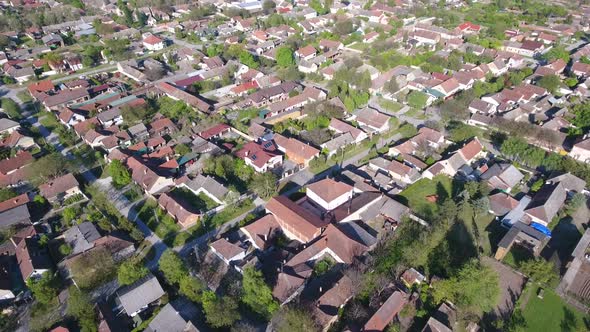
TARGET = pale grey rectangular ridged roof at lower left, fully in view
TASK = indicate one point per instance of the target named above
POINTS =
(139, 294)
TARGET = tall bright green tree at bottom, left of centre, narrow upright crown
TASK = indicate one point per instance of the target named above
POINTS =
(256, 293)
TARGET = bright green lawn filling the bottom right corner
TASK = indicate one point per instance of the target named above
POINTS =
(550, 313)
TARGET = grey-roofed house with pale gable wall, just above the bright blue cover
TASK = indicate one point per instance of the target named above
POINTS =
(546, 203)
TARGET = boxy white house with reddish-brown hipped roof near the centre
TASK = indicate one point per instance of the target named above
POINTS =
(329, 194)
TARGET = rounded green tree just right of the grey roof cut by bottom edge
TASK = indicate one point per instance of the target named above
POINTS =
(220, 311)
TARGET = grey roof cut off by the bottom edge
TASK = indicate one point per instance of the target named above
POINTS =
(175, 317)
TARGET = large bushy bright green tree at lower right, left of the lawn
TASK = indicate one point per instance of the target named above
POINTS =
(475, 287)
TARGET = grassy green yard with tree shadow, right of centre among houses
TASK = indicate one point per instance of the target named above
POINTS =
(415, 196)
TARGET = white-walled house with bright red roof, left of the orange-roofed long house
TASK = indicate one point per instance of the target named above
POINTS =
(261, 156)
